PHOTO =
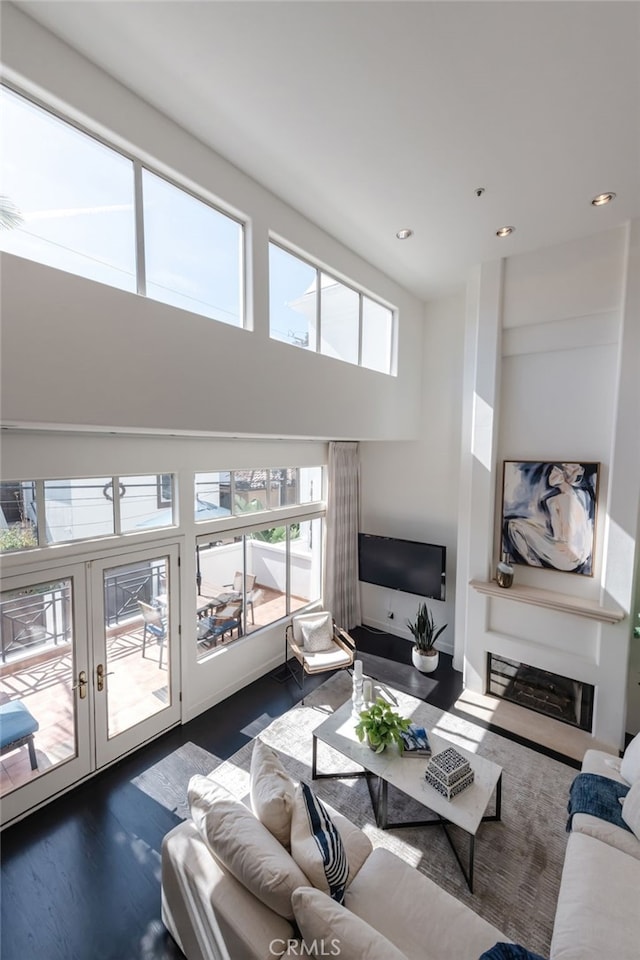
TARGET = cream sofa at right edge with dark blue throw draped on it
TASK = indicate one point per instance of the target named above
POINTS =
(598, 911)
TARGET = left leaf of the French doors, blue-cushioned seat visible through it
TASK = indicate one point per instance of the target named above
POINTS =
(45, 690)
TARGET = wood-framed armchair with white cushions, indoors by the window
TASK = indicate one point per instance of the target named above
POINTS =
(318, 645)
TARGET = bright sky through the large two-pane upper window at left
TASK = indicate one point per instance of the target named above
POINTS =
(75, 198)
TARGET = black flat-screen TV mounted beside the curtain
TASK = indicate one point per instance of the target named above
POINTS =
(406, 565)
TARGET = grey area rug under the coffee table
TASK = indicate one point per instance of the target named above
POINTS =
(518, 862)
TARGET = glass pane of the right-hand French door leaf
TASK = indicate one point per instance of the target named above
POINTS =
(137, 638)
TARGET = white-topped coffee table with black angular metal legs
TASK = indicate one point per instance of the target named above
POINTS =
(467, 810)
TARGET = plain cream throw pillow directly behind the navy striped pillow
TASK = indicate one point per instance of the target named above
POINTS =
(272, 791)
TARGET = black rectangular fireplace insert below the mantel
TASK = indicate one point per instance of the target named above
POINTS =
(570, 701)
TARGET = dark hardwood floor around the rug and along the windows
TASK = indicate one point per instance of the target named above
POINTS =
(81, 877)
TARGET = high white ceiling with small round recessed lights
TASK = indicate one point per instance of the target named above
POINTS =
(372, 116)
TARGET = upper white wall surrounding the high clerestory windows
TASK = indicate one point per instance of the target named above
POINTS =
(78, 352)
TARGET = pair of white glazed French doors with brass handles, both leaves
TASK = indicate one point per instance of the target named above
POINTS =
(89, 669)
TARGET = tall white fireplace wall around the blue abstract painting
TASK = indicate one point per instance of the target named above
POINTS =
(564, 326)
